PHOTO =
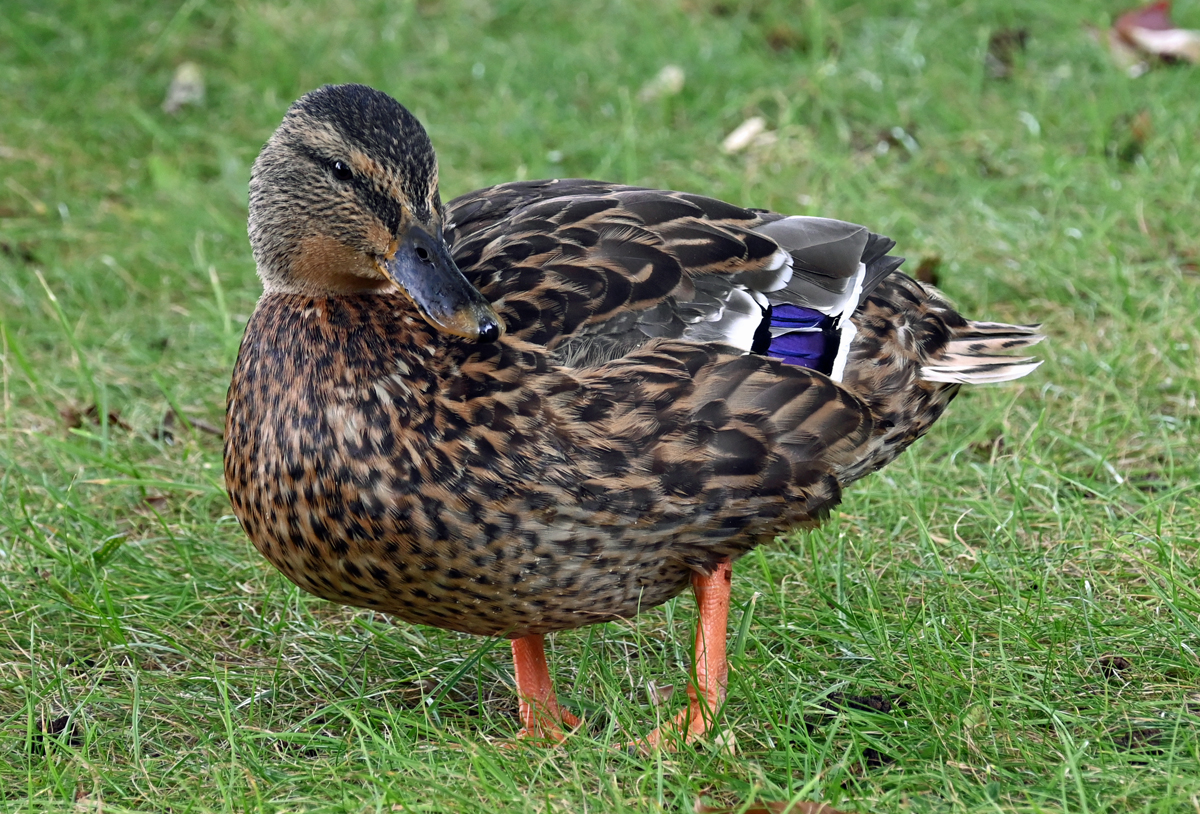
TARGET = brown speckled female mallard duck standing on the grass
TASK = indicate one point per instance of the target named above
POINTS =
(554, 404)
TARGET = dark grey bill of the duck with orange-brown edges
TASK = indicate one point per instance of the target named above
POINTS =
(425, 272)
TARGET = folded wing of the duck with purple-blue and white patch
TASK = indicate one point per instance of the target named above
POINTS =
(596, 271)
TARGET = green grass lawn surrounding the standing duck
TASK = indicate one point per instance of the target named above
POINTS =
(1005, 620)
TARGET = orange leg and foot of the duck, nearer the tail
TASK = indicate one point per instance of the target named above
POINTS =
(706, 693)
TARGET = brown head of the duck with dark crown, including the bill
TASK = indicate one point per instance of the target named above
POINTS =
(344, 200)
